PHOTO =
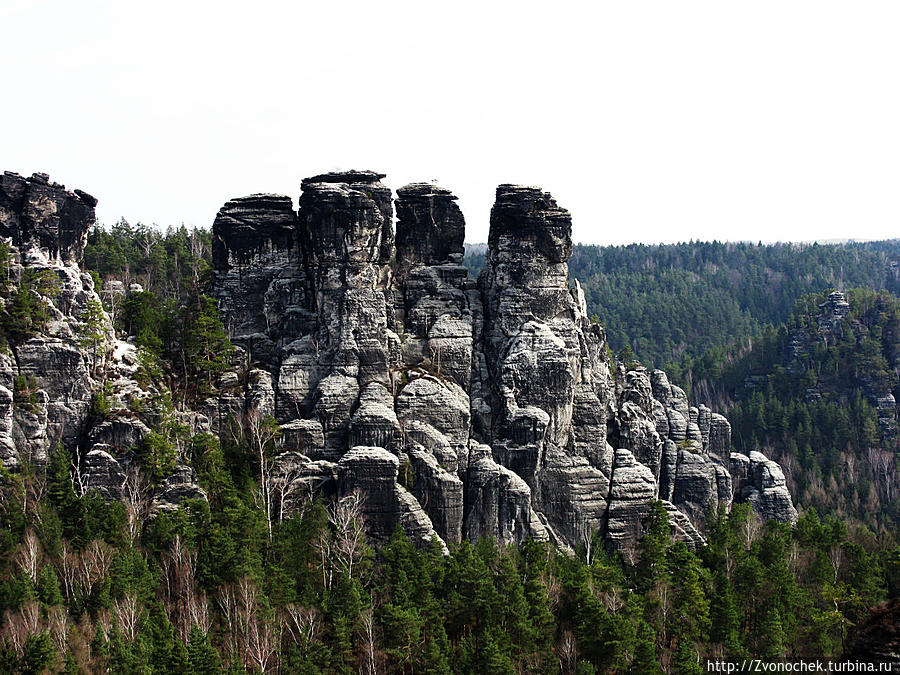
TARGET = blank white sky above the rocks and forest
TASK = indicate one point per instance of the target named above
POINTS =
(650, 121)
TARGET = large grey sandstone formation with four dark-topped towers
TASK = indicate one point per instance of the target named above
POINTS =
(464, 409)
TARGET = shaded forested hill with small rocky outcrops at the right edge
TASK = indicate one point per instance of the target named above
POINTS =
(819, 395)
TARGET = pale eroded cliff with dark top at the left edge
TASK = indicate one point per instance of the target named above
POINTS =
(53, 376)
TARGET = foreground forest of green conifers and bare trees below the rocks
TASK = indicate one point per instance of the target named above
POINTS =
(205, 589)
